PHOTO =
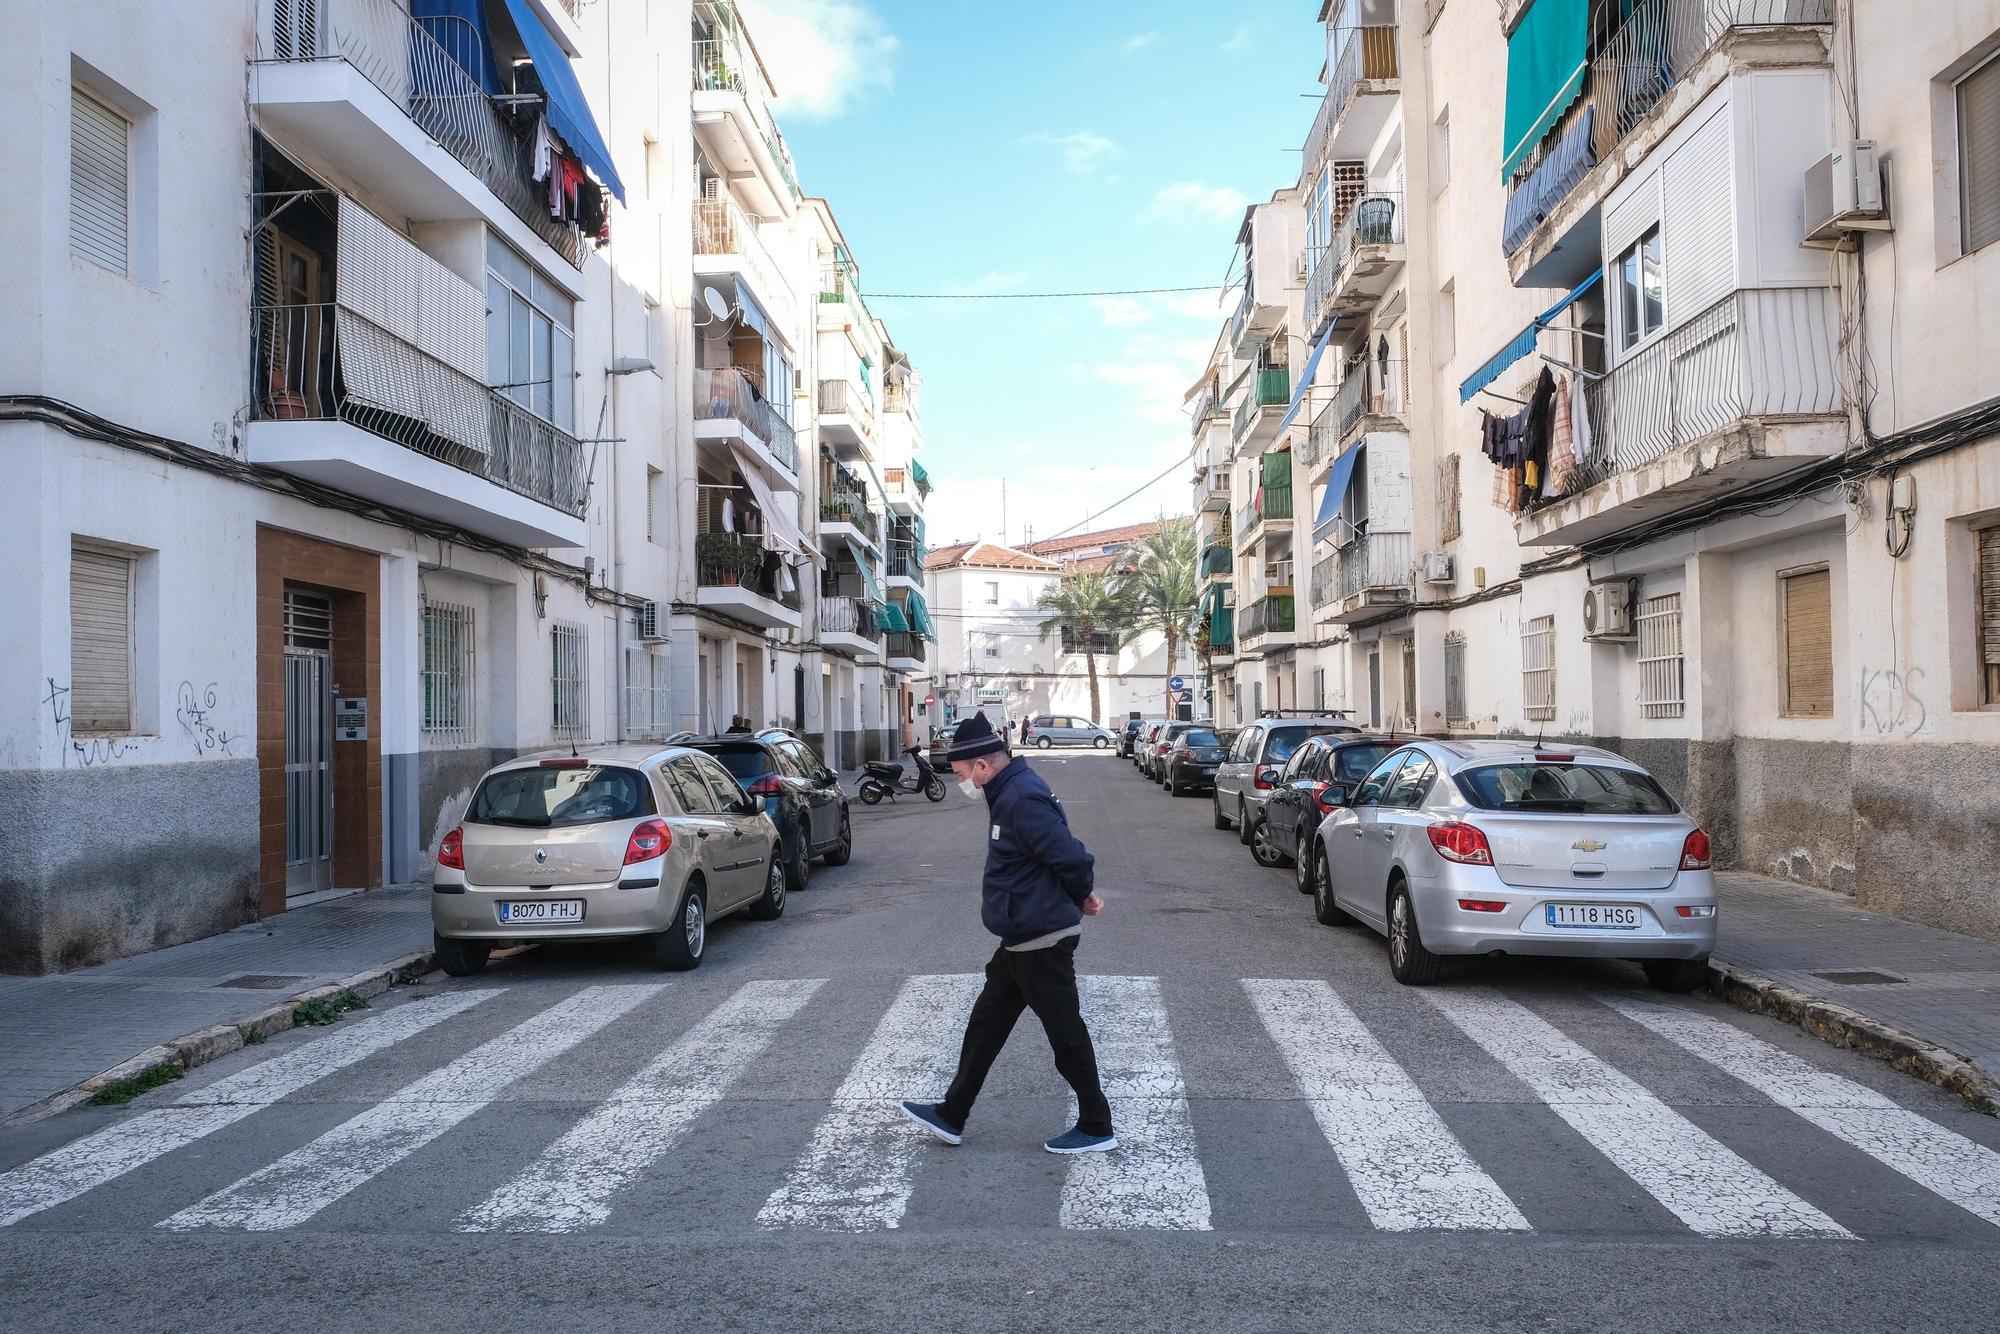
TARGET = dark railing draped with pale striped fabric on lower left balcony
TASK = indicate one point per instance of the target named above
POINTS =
(329, 365)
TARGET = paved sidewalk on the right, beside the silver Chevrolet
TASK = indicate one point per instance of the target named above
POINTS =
(1937, 987)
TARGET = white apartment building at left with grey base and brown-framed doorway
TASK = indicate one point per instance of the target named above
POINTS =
(393, 387)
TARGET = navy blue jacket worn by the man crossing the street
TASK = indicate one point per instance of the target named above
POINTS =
(1037, 873)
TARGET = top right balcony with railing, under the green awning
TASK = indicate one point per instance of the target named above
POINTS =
(1641, 83)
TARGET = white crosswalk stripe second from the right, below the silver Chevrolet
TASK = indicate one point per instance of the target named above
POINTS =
(1677, 1163)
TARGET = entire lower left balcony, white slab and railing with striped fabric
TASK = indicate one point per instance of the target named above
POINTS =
(349, 405)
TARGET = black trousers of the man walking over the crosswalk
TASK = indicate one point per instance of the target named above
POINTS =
(1041, 981)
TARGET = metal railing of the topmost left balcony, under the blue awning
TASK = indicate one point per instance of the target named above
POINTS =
(425, 67)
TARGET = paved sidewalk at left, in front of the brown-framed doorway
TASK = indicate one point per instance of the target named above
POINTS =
(65, 1029)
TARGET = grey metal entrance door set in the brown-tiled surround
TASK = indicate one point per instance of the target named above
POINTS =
(309, 743)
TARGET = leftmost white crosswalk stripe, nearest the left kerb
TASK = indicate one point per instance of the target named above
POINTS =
(111, 1153)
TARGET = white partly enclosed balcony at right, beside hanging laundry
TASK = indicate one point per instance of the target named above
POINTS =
(1741, 393)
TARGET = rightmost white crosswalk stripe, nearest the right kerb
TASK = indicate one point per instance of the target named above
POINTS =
(1937, 1159)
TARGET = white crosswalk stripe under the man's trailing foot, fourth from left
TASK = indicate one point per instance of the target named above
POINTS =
(859, 1169)
